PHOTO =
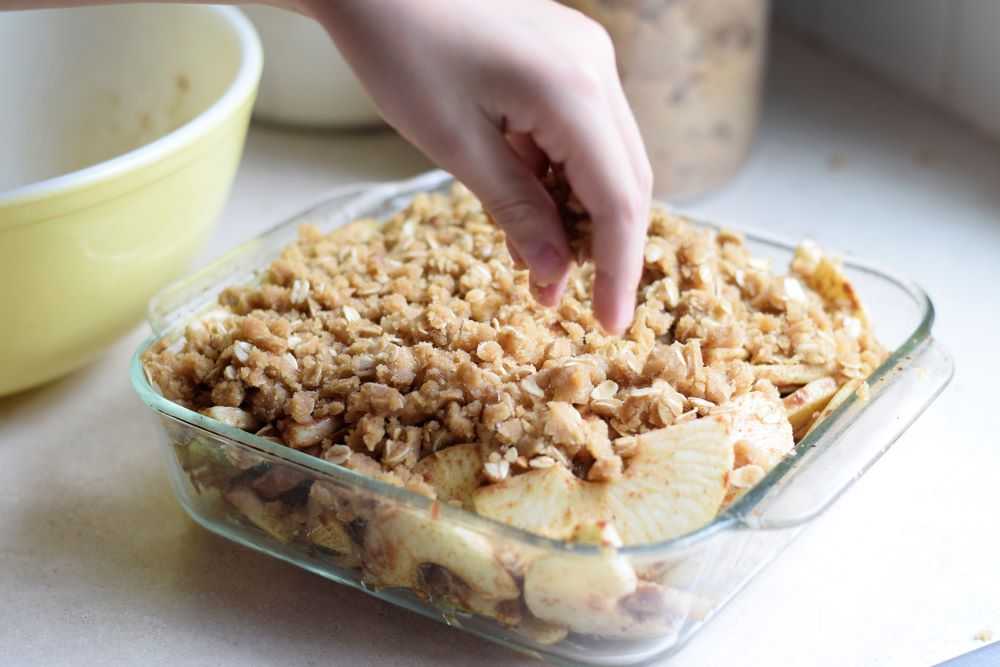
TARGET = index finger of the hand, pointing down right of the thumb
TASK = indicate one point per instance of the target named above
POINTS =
(598, 165)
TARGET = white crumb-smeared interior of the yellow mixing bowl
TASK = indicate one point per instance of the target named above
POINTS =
(93, 83)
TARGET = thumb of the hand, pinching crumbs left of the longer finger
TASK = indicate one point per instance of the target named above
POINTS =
(497, 173)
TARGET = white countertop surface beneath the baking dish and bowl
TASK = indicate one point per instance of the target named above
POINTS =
(98, 564)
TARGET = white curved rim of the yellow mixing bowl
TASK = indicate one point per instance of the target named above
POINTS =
(240, 87)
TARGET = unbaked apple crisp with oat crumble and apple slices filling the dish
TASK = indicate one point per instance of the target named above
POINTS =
(412, 351)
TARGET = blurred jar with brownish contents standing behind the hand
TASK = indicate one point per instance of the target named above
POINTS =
(692, 71)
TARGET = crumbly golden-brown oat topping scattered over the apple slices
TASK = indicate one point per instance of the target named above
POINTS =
(393, 342)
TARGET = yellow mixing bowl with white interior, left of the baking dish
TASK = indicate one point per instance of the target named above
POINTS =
(121, 129)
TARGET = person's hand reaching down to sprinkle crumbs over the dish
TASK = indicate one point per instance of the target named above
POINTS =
(494, 92)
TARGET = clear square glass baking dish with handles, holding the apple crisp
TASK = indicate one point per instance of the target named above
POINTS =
(337, 523)
